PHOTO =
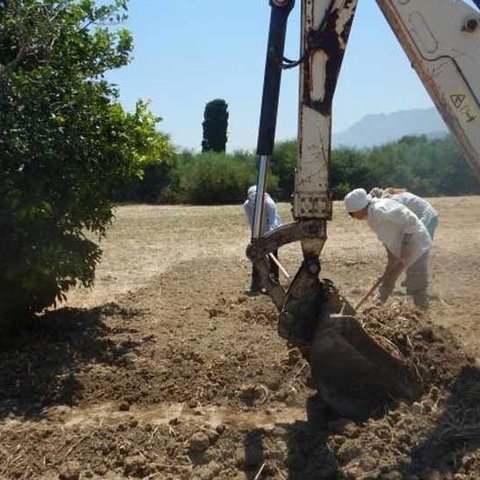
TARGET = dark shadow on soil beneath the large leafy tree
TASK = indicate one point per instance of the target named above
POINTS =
(39, 365)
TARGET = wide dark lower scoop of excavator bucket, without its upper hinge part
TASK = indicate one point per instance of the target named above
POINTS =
(354, 375)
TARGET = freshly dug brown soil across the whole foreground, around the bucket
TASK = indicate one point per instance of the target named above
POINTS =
(162, 385)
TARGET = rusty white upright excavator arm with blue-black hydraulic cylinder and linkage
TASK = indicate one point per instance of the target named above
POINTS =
(325, 25)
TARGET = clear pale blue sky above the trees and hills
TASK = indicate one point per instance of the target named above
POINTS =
(188, 52)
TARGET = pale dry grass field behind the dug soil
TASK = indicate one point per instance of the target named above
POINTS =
(145, 241)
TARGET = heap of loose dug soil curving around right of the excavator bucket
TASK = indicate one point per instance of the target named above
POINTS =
(433, 438)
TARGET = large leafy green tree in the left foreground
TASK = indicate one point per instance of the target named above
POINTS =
(65, 144)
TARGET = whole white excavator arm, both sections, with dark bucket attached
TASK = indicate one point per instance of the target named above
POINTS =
(441, 38)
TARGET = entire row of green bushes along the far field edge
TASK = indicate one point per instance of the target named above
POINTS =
(426, 167)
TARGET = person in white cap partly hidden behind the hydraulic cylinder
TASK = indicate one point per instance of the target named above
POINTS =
(270, 221)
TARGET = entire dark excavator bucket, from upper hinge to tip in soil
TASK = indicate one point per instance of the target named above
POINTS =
(353, 374)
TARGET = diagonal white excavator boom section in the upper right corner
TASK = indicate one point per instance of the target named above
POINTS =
(442, 40)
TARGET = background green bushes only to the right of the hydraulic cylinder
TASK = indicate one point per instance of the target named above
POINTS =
(426, 167)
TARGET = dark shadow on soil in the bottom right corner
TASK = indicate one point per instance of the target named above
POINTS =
(456, 434)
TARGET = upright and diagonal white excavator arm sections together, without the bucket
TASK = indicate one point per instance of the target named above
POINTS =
(442, 41)
